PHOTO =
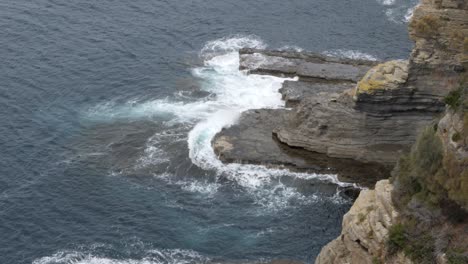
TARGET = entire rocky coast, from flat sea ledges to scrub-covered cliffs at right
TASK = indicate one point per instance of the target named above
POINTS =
(359, 119)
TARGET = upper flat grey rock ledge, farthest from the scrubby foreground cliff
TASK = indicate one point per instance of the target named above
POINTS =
(316, 73)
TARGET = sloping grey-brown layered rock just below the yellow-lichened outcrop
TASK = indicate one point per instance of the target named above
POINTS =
(330, 124)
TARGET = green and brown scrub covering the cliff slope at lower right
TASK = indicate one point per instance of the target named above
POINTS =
(431, 190)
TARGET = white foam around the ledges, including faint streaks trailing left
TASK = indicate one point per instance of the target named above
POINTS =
(234, 92)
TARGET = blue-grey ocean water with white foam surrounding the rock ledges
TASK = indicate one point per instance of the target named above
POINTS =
(107, 111)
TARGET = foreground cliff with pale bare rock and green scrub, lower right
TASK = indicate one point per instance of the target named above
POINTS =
(422, 217)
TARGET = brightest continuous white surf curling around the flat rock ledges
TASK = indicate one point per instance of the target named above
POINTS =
(236, 92)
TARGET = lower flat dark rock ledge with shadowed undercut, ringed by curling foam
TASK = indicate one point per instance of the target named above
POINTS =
(251, 141)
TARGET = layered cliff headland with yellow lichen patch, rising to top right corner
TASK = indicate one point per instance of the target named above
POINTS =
(389, 105)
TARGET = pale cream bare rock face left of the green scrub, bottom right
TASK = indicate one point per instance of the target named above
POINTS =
(365, 231)
